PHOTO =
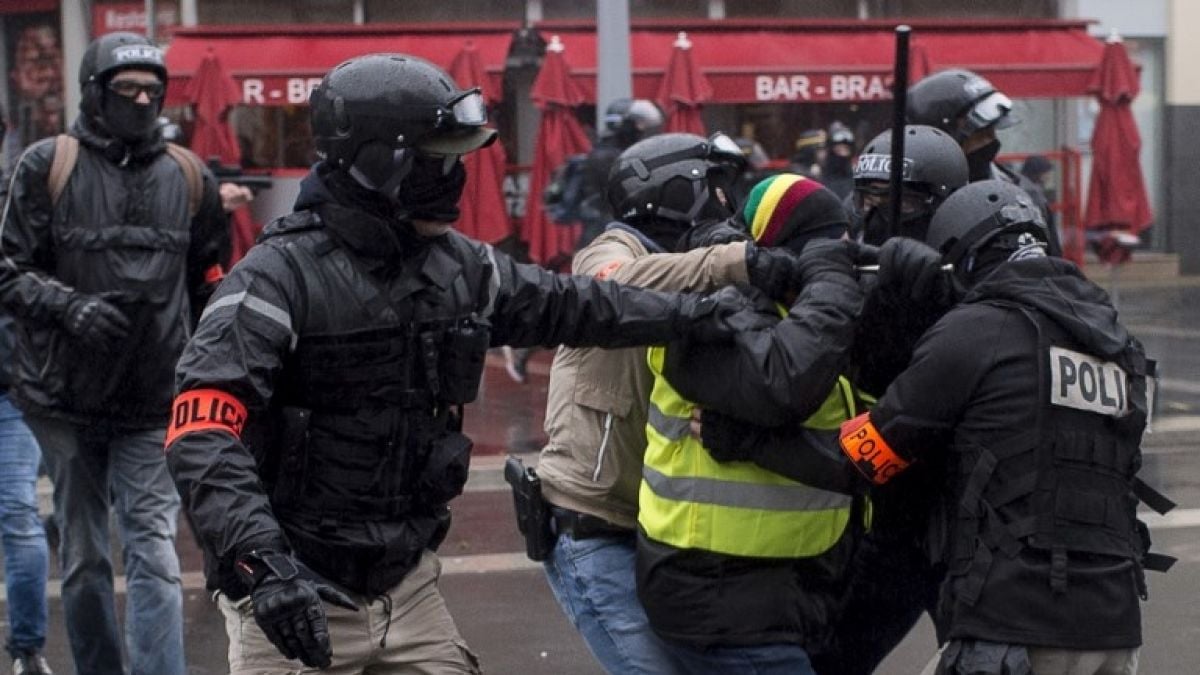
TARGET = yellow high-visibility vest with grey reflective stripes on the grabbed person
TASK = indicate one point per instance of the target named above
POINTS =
(691, 501)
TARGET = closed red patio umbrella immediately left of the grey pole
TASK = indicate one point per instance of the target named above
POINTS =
(560, 136)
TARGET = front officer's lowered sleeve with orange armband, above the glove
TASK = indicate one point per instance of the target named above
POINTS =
(225, 380)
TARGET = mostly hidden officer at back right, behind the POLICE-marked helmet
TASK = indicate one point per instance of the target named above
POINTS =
(971, 111)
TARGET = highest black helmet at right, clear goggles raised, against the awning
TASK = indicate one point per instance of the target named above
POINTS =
(959, 103)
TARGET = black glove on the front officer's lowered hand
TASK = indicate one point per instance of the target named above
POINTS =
(287, 606)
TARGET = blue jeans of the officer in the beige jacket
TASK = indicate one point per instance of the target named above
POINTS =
(593, 582)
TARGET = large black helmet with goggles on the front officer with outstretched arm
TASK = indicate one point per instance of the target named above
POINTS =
(395, 101)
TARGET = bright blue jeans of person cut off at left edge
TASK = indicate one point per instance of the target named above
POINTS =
(26, 555)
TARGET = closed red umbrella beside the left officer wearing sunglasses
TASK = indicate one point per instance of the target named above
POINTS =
(213, 94)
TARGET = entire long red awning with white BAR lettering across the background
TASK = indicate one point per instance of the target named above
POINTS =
(745, 61)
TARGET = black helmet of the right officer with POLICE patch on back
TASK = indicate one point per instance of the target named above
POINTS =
(986, 223)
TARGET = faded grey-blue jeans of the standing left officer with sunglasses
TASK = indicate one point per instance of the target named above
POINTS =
(95, 468)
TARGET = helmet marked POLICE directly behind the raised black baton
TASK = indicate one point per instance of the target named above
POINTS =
(934, 169)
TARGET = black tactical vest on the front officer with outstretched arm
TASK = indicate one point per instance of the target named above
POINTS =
(363, 447)
